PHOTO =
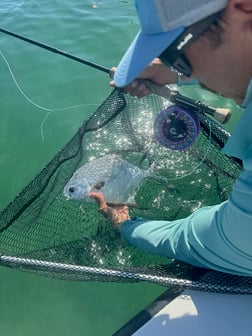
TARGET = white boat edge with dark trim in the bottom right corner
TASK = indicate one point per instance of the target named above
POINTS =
(192, 312)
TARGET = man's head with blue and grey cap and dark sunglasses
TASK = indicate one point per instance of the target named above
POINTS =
(184, 32)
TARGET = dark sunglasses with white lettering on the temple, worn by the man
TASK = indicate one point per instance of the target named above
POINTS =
(174, 56)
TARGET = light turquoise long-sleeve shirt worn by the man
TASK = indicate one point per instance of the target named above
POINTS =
(217, 237)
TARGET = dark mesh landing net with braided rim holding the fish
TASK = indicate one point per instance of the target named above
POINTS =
(43, 233)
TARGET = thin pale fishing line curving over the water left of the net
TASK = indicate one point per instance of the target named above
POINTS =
(32, 102)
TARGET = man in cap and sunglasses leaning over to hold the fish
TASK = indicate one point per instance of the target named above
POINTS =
(211, 41)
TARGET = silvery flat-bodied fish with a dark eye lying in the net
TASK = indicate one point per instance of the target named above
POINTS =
(111, 175)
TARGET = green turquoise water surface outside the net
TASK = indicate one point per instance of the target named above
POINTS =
(44, 99)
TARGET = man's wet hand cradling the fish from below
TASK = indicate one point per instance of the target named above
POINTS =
(115, 213)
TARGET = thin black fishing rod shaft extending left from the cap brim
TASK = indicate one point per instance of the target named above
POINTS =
(55, 50)
